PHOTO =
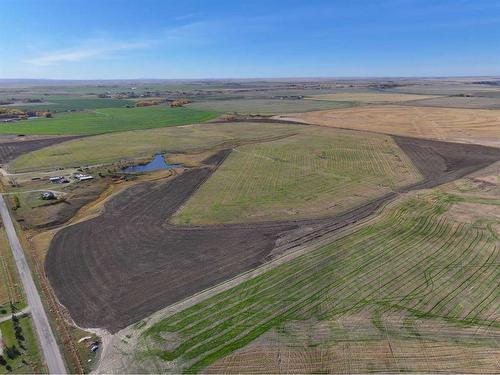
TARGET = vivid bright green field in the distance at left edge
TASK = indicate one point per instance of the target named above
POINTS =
(108, 120)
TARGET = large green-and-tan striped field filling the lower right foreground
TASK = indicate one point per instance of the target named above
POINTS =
(413, 290)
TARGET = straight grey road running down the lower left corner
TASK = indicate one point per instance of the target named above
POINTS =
(50, 349)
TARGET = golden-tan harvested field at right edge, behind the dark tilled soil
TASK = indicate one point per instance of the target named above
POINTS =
(449, 124)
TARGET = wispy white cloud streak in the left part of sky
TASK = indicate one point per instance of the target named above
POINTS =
(86, 51)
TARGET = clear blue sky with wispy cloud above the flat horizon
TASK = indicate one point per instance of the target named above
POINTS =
(110, 39)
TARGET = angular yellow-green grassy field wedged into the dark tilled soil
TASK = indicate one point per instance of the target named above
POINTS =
(316, 173)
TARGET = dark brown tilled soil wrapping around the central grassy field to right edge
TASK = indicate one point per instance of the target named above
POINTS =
(122, 266)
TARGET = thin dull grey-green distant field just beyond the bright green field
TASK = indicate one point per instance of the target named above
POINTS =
(266, 106)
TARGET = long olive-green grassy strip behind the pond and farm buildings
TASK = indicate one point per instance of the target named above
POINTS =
(113, 147)
